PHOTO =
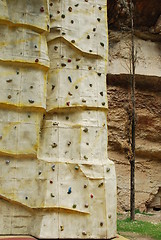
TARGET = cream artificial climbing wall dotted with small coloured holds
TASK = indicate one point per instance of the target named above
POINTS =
(56, 180)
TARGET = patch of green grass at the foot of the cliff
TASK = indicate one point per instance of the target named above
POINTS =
(143, 228)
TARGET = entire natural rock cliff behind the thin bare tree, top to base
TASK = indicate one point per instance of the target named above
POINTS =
(148, 100)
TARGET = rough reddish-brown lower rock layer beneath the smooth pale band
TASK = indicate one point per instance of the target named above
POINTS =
(148, 139)
